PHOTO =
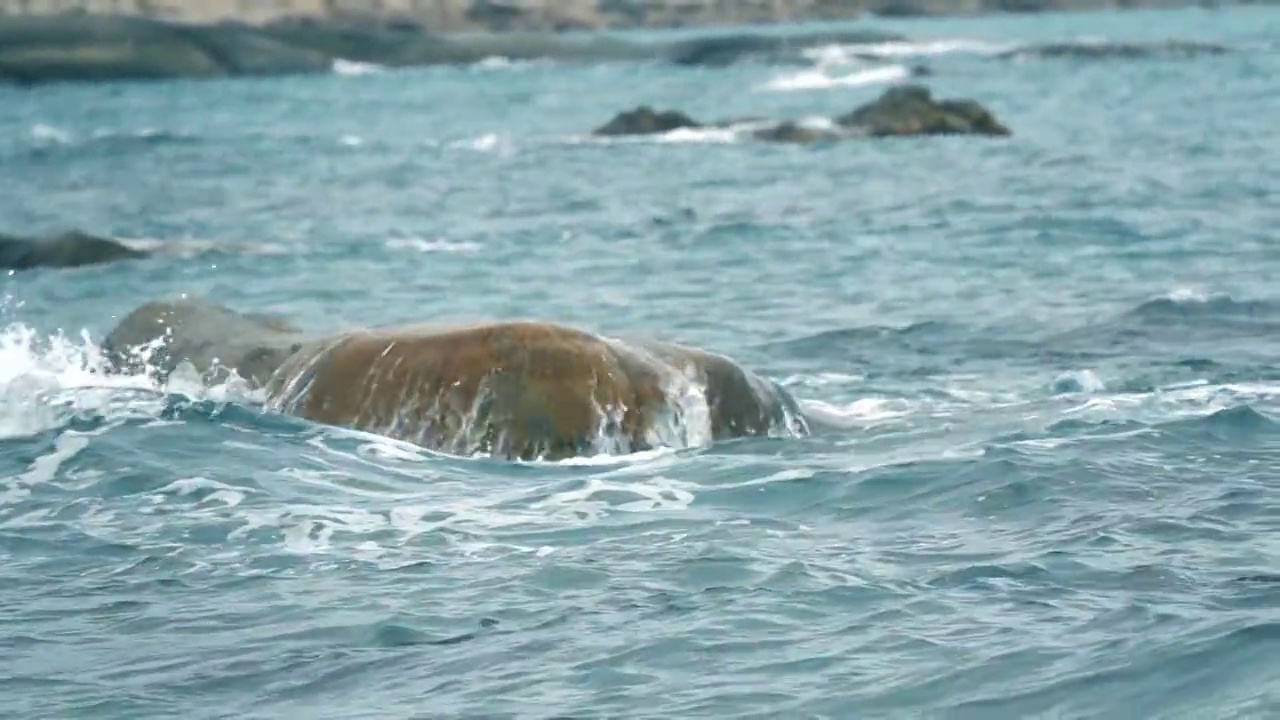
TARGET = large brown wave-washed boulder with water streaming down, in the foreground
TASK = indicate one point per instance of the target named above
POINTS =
(515, 390)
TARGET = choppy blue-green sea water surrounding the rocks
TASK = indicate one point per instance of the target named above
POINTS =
(1046, 372)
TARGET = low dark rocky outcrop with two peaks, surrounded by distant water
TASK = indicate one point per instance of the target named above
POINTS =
(903, 111)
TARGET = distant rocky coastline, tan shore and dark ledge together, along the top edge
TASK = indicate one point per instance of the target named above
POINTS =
(39, 48)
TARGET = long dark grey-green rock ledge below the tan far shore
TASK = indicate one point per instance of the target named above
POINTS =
(100, 48)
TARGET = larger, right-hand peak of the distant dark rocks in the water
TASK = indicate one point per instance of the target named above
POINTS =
(911, 110)
